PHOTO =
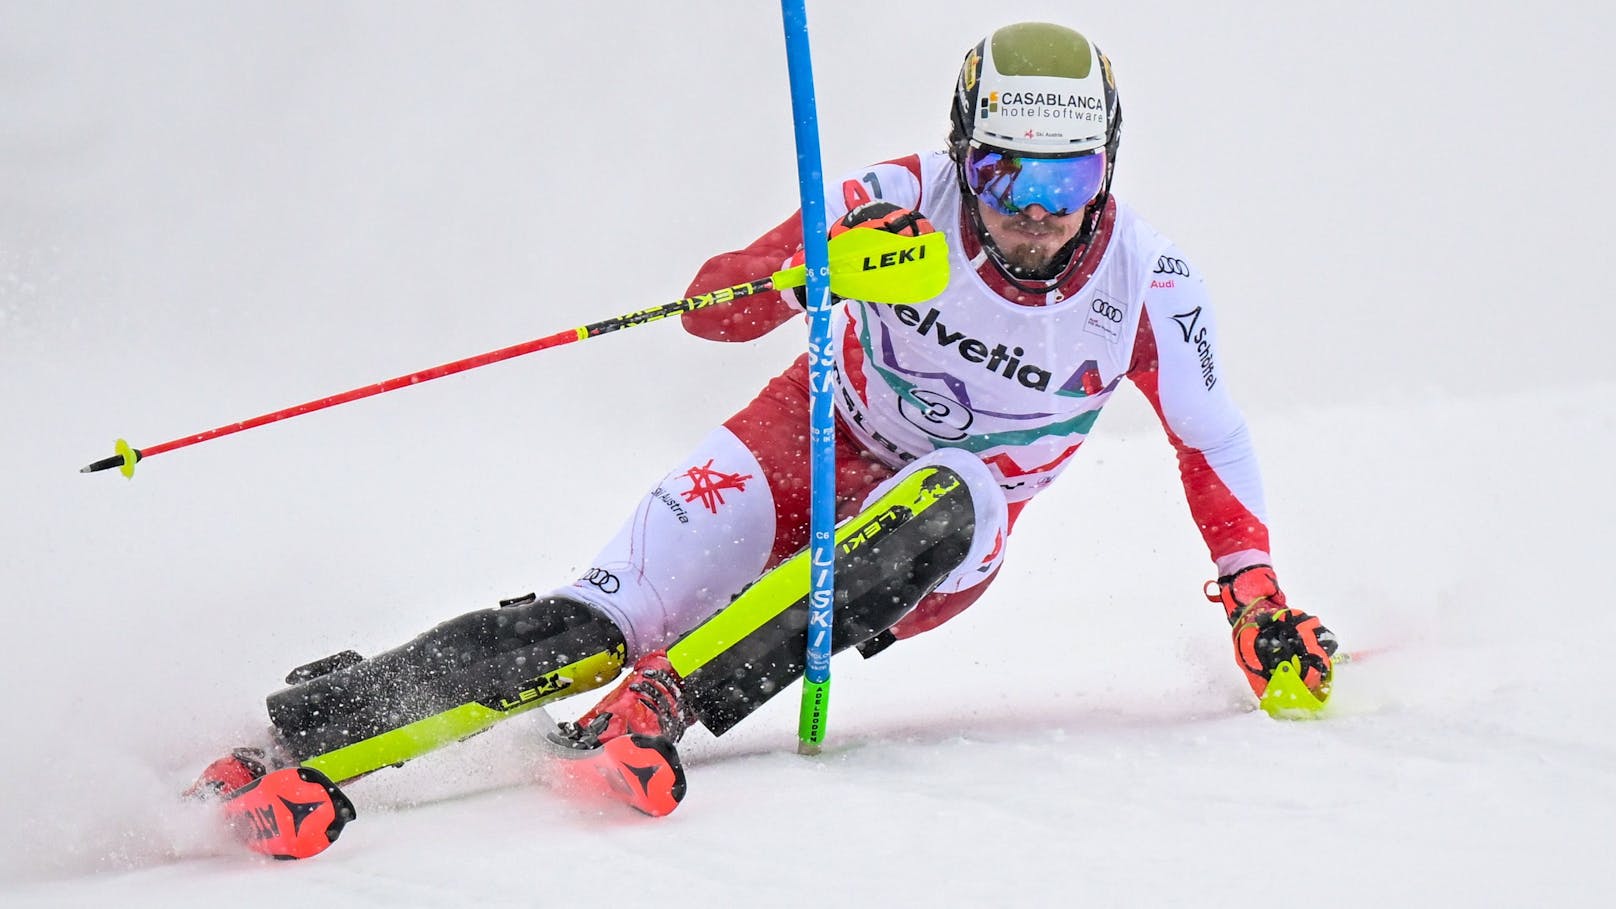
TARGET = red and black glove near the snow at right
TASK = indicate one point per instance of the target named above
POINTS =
(1269, 633)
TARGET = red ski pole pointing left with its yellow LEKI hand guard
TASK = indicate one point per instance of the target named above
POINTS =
(870, 266)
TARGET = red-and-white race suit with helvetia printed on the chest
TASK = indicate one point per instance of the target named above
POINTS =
(1014, 379)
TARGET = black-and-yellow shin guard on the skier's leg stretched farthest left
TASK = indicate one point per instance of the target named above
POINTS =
(453, 682)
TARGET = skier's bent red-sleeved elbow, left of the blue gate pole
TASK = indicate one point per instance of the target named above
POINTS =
(751, 316)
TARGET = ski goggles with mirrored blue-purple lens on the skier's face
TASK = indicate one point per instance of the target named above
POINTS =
(1011, 184)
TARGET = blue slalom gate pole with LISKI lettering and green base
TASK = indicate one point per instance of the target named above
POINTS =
(822, 429)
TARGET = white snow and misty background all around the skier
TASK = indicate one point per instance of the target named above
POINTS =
(214, 211)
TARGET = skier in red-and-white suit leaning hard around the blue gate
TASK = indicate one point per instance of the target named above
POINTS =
(951, 416)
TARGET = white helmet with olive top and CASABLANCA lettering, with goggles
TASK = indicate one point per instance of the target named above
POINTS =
(1037, 120)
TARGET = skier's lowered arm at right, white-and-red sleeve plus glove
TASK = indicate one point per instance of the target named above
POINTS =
(1177, 366)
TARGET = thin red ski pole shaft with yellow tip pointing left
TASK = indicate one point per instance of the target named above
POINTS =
(127, 457)
